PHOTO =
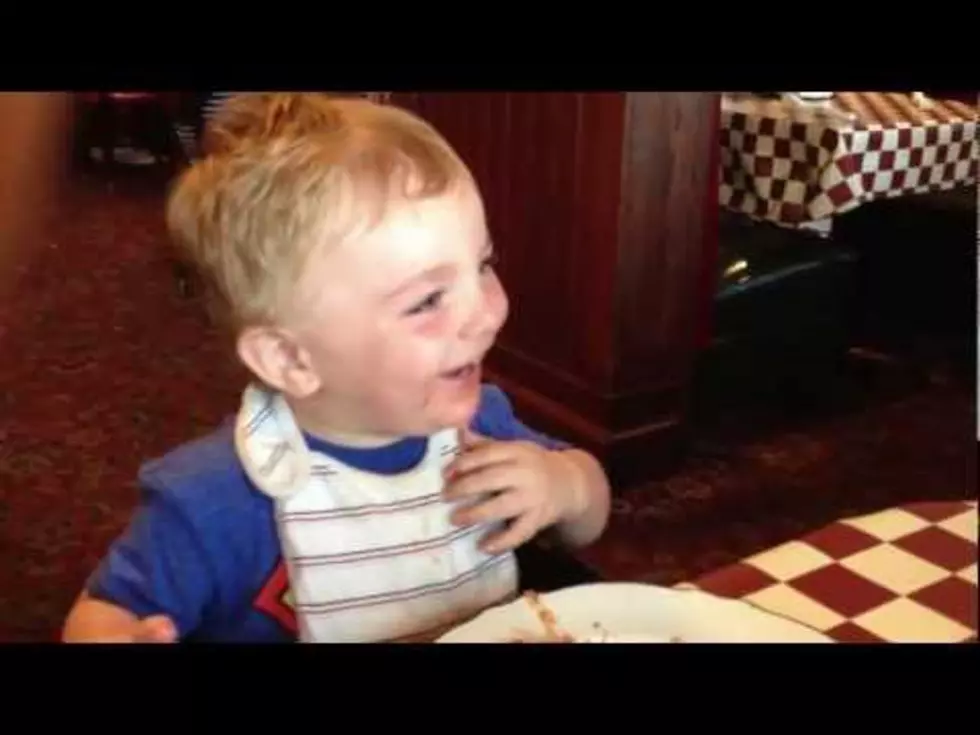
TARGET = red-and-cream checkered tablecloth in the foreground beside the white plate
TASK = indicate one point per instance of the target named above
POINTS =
(906, 574)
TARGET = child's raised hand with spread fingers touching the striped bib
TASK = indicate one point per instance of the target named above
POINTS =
(527, 485)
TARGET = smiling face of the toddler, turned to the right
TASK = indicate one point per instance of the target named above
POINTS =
(397, 322)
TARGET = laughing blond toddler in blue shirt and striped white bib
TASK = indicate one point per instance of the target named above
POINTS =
(370, 488)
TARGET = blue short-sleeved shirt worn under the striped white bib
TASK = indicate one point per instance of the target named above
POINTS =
(203, 549)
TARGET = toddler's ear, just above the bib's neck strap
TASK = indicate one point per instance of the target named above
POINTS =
(278, 361)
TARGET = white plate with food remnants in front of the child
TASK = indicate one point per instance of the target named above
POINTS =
(638, 613)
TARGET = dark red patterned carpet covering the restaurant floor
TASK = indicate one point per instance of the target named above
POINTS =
(104, 365)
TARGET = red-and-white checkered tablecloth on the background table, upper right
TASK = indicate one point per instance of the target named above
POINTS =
(793, 164)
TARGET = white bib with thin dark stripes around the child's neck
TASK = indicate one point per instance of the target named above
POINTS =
(370, 557)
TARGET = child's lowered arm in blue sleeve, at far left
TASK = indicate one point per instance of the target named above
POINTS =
(152, 586)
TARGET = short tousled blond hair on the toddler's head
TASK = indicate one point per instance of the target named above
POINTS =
(285, 174)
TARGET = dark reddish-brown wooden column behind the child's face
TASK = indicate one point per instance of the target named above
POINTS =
(596, 203)
